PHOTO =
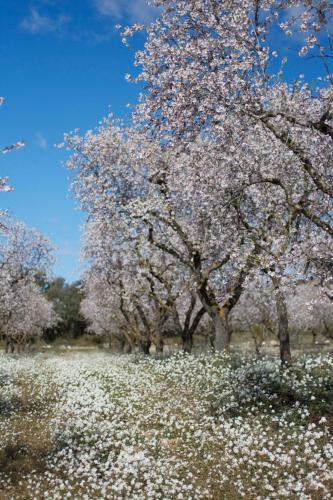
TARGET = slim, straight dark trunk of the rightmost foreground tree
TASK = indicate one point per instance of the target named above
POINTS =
(283, 327)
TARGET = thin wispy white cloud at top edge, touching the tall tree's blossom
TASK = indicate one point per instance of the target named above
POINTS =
(129, 10)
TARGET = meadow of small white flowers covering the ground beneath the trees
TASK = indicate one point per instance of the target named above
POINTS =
(207, 427)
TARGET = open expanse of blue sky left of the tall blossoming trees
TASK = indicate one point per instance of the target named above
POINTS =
(63, 65)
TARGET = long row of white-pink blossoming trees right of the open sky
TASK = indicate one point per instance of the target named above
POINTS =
(224, 179)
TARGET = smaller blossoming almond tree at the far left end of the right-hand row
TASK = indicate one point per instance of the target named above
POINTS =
(113, 285)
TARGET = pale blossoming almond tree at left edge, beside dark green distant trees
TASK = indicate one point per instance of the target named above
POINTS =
(24, 311)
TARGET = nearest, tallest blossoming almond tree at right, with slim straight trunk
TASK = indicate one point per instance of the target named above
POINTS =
(210, 72)
